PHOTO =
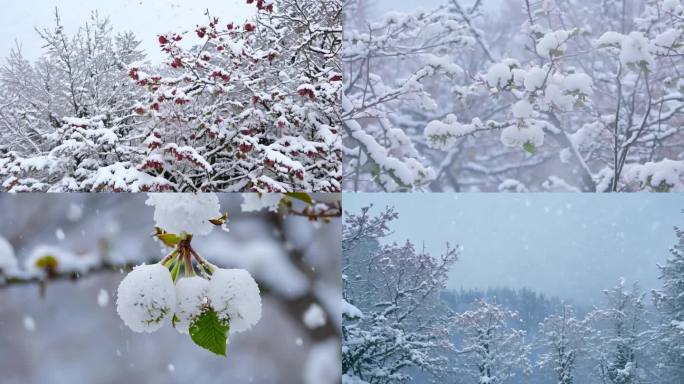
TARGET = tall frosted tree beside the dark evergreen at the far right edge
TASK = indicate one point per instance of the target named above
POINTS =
(621, 349)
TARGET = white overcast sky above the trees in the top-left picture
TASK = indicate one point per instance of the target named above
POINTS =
(146, 18)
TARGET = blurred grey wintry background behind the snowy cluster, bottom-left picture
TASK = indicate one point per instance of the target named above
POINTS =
(72, 333)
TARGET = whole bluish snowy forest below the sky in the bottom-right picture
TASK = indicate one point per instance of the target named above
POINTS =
(401, 324)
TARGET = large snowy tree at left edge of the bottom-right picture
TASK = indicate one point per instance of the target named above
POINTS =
(393, 317)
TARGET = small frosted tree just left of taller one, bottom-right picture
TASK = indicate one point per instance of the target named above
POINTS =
(565, 340)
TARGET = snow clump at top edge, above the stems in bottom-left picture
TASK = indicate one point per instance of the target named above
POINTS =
(185, 212)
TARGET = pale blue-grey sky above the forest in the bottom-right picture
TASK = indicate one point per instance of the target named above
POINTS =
(568, 245)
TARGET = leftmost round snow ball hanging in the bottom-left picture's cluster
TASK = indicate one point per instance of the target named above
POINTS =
(146, 297)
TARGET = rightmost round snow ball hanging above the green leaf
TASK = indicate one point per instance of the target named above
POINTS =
(235, 297)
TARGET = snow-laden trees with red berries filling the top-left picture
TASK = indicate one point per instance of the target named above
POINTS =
(248, 107)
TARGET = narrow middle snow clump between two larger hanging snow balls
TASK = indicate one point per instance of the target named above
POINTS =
(191, 295)
